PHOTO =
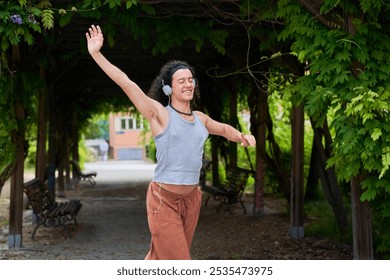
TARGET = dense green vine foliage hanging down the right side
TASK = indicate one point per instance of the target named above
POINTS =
(346, 47)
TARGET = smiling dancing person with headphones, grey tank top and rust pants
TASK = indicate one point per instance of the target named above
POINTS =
(173, 198)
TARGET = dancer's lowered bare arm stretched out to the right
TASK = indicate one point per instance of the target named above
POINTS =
(227, 131)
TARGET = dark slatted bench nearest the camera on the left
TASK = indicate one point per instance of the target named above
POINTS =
(50, 213)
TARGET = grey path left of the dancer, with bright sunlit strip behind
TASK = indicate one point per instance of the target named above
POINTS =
(112, 222)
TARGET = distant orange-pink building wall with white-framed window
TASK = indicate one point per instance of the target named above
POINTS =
(126, 137)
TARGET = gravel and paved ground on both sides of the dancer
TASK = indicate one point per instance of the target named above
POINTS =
(112, 225)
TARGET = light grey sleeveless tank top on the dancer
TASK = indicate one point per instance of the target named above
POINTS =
(180, 150)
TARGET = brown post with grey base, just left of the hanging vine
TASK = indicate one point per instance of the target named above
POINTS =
(297, 191)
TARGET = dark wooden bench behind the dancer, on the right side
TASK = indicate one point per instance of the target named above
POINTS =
(231, 190)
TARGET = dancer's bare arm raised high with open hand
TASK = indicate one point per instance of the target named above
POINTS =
(148, 107)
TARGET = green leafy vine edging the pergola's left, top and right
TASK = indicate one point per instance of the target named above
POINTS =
(344, 44)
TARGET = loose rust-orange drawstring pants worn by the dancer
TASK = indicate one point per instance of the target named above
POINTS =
(172, 222)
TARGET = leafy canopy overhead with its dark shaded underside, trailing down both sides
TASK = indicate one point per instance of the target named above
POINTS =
(331, 57)
